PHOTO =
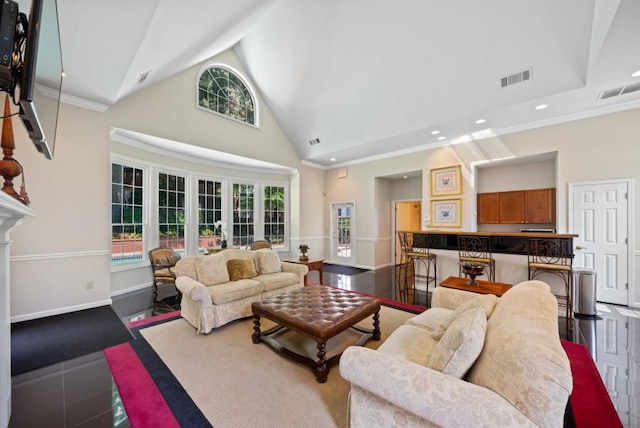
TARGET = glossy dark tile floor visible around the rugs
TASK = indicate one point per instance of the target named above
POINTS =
(81, 393)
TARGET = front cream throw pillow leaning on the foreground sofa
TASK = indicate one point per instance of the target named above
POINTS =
(461, 344)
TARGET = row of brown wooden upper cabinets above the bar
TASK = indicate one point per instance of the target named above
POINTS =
(535, 206)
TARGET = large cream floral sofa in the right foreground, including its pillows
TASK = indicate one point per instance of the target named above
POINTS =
(470, 360)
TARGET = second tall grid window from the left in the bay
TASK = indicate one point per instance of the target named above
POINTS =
(171, 213)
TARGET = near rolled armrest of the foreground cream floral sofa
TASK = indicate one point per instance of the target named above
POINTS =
(427, 393)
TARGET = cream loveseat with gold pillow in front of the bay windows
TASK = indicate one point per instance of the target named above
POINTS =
(220, 288)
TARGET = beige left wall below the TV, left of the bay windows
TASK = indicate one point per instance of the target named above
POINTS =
(68, 242)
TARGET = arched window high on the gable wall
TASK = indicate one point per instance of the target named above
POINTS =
(222, 90)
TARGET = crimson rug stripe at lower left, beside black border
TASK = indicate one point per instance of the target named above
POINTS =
(140, 396)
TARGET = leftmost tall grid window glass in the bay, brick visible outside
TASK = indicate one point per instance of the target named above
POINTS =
(126, 214)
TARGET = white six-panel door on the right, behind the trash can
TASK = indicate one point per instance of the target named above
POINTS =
(600, 218)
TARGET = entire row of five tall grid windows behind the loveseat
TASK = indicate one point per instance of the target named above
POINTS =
(152, 207)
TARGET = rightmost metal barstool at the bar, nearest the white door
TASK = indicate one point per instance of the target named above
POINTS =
(553, 256)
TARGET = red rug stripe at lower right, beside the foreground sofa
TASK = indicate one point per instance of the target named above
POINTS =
(590, 401)
